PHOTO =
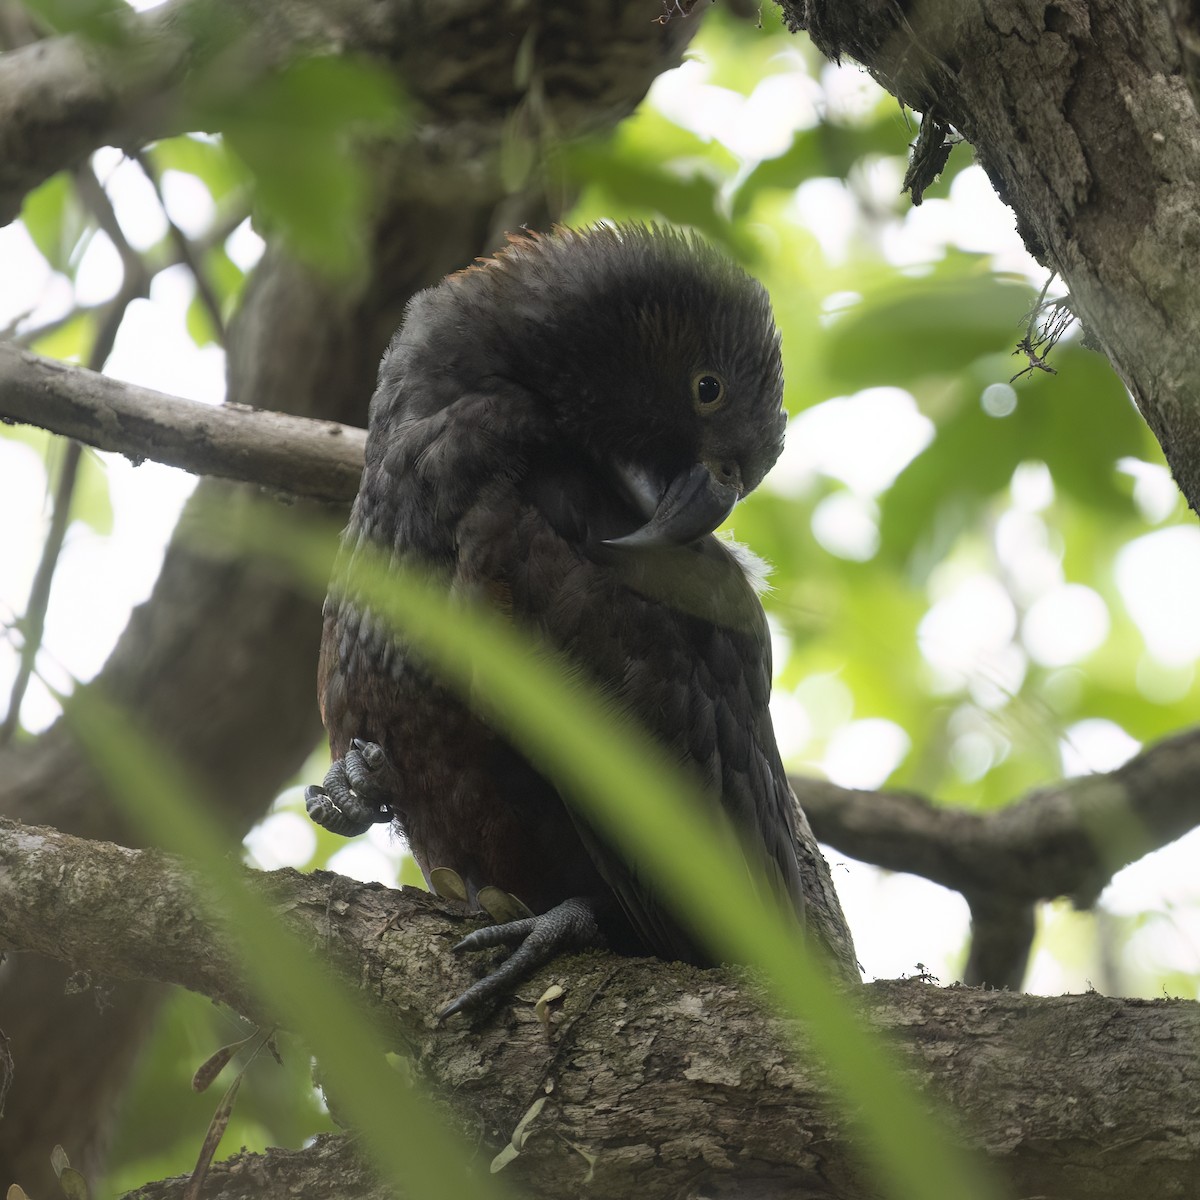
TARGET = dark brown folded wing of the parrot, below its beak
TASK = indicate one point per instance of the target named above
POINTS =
(680, 640)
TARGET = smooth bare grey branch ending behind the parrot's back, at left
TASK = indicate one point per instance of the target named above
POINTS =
(322, 460)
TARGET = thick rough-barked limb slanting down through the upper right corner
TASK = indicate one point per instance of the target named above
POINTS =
(1082, 116)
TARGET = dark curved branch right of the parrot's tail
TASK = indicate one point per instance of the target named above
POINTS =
(1070, 839)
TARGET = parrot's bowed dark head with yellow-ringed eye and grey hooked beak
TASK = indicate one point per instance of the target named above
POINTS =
(655, 355)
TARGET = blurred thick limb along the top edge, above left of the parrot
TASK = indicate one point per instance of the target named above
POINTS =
(63, 98)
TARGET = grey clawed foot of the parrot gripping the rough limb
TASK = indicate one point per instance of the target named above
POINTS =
(568, 927)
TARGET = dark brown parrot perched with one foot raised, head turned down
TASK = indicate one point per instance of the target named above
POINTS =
(557, 431)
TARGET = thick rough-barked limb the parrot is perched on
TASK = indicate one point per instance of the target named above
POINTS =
(673, 1078)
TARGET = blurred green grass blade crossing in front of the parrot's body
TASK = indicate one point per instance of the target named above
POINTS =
(623, 782)
